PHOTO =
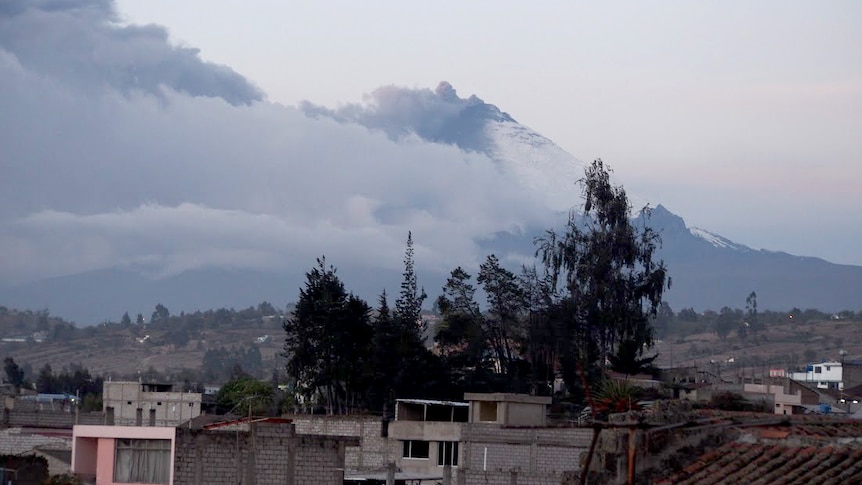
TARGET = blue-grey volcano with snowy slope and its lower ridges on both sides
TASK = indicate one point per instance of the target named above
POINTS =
(708, 270)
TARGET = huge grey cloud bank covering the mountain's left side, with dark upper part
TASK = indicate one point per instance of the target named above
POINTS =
(162, 177)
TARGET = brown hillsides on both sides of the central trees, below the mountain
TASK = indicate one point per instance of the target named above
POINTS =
(207, 344)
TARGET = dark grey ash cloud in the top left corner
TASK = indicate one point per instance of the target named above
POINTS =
(80, 42)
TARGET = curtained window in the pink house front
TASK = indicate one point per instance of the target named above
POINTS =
(142, 461)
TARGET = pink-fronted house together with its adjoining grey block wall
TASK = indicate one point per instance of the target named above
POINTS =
(203, 452)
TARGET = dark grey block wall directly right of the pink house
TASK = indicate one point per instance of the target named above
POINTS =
(270, 454)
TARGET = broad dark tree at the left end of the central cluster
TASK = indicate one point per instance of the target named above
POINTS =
(328, 341)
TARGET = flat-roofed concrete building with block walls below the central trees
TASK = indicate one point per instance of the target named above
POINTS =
(490, 438)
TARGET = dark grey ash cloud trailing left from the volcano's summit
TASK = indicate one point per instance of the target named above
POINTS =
(439, 116)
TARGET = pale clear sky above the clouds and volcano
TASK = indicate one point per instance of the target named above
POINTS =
(745, 118)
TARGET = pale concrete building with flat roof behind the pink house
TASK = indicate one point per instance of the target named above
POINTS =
(145, 404)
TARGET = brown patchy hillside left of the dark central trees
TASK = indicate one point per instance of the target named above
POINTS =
(172, 348)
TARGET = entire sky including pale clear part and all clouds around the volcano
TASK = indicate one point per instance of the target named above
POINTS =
(166, 136)
